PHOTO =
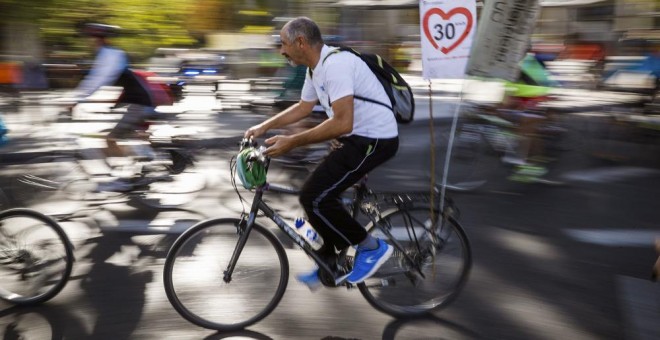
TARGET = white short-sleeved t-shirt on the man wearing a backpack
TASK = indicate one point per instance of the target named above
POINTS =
(344, 74)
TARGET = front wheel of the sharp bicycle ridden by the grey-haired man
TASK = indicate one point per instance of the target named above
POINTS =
(203, 298)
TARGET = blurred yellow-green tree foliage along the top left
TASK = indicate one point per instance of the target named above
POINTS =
(146, 24)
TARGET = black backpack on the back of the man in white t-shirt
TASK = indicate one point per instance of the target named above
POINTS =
(402, 102)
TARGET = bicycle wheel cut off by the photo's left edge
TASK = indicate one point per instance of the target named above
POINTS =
(36, 257)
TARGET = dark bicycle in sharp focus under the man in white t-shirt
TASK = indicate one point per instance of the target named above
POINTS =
(240, 262)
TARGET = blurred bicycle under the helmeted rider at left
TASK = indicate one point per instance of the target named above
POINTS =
(151, 181)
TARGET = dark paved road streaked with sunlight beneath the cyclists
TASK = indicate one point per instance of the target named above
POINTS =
(550, 262)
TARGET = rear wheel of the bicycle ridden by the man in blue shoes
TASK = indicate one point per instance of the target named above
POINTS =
(392, 290)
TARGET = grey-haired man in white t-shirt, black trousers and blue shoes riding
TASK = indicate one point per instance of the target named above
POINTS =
(367, 132)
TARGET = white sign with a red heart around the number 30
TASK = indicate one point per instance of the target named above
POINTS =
(447, 28)
